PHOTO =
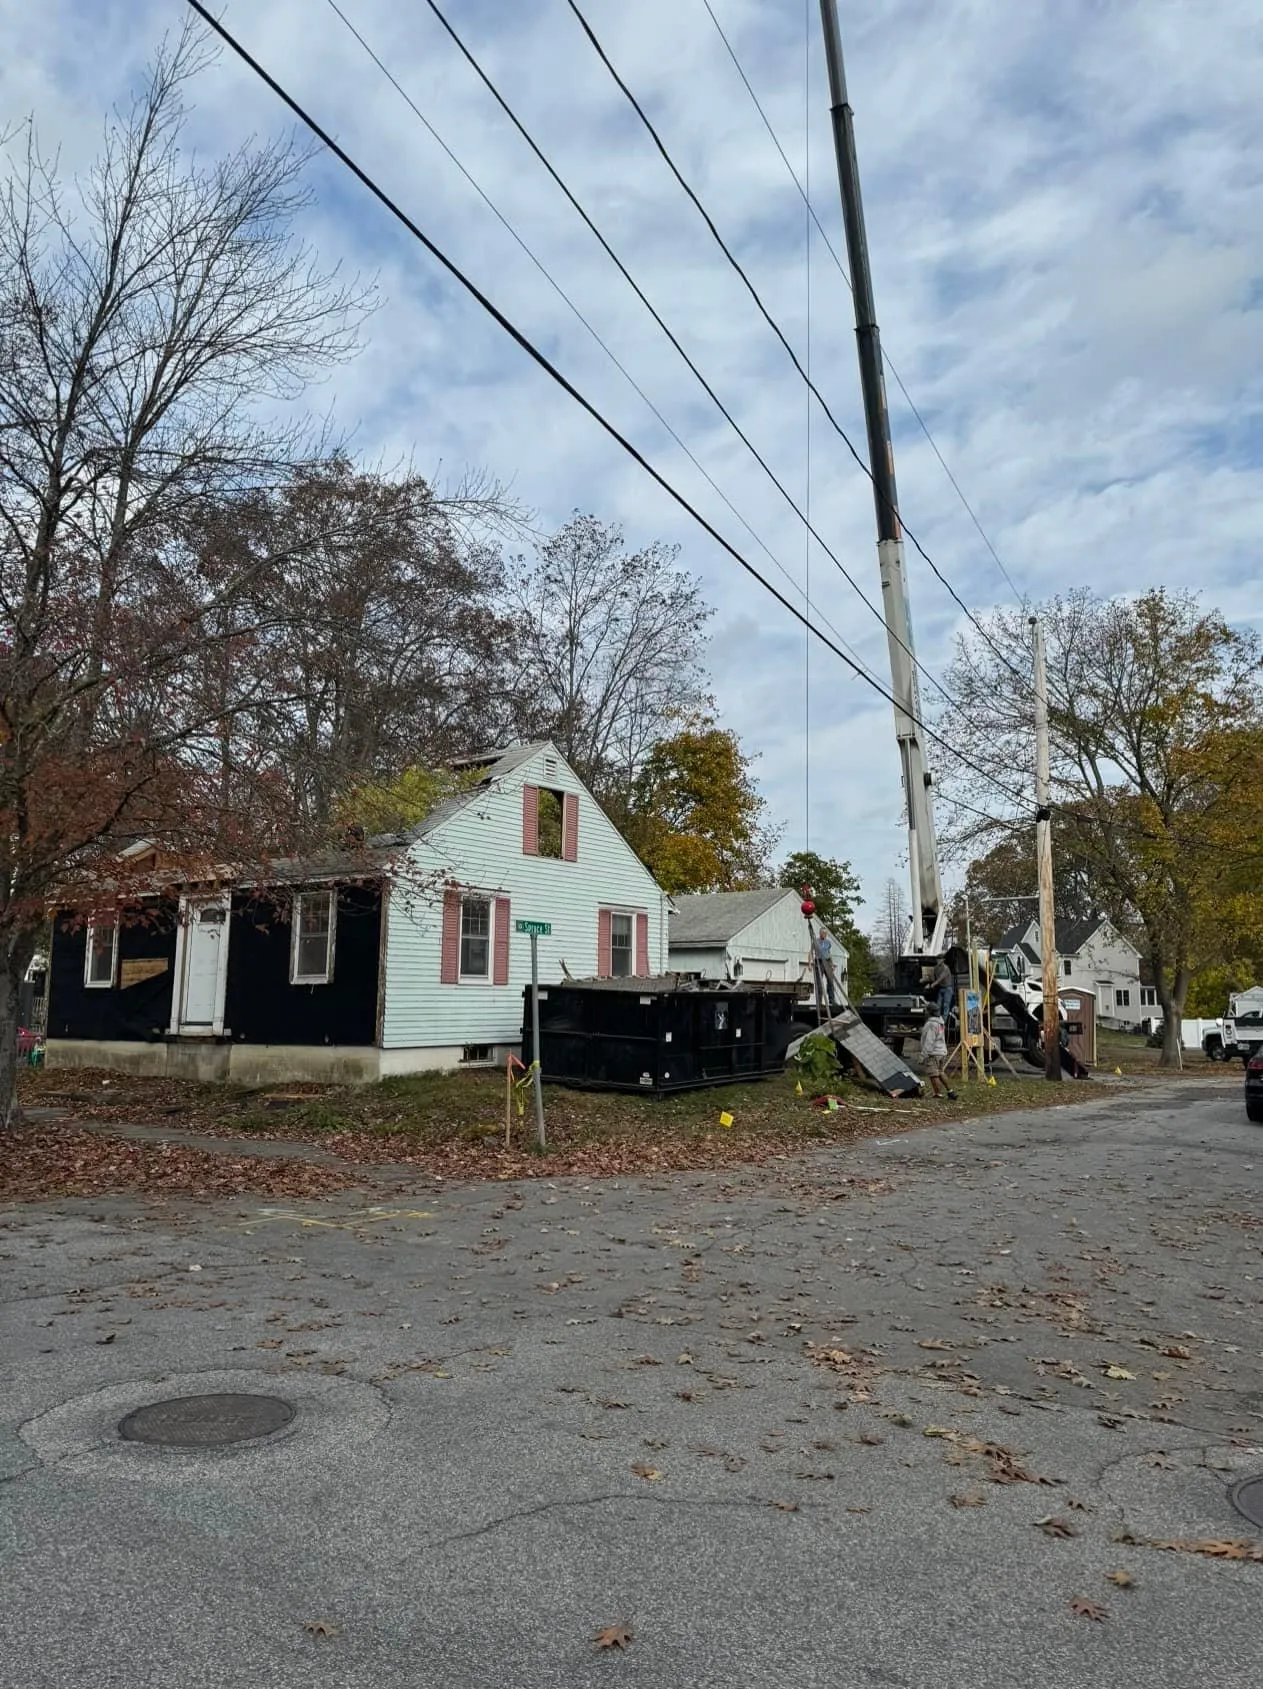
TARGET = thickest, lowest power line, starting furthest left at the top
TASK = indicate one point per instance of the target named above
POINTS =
(568, 388)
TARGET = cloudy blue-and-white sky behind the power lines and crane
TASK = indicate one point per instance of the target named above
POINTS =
(1066, 217)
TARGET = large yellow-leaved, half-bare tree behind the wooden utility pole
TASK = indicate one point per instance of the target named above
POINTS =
(1157, 747)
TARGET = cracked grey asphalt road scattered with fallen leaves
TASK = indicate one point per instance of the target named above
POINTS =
(479, 1374)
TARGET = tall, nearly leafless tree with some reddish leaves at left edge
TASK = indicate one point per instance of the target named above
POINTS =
(151, 315)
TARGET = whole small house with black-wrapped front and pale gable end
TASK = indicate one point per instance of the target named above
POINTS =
(388, 959)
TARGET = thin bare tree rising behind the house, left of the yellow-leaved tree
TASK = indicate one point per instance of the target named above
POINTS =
(610, 649)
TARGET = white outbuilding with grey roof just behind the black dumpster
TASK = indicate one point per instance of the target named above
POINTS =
(744, 937)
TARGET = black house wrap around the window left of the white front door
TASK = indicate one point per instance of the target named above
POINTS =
(138, 1011)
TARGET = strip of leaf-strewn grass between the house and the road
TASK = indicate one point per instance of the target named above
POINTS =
(452, 1126)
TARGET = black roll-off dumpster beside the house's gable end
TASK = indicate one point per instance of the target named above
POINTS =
(661, 1036)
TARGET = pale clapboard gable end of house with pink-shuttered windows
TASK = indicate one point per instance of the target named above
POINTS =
(528, 844)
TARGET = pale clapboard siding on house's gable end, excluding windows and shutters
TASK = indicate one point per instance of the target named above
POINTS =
(480, 847)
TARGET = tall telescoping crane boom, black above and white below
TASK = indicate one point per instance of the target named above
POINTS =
(928, 926)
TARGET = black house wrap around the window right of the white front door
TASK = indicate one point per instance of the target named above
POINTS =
(263, 1007)
